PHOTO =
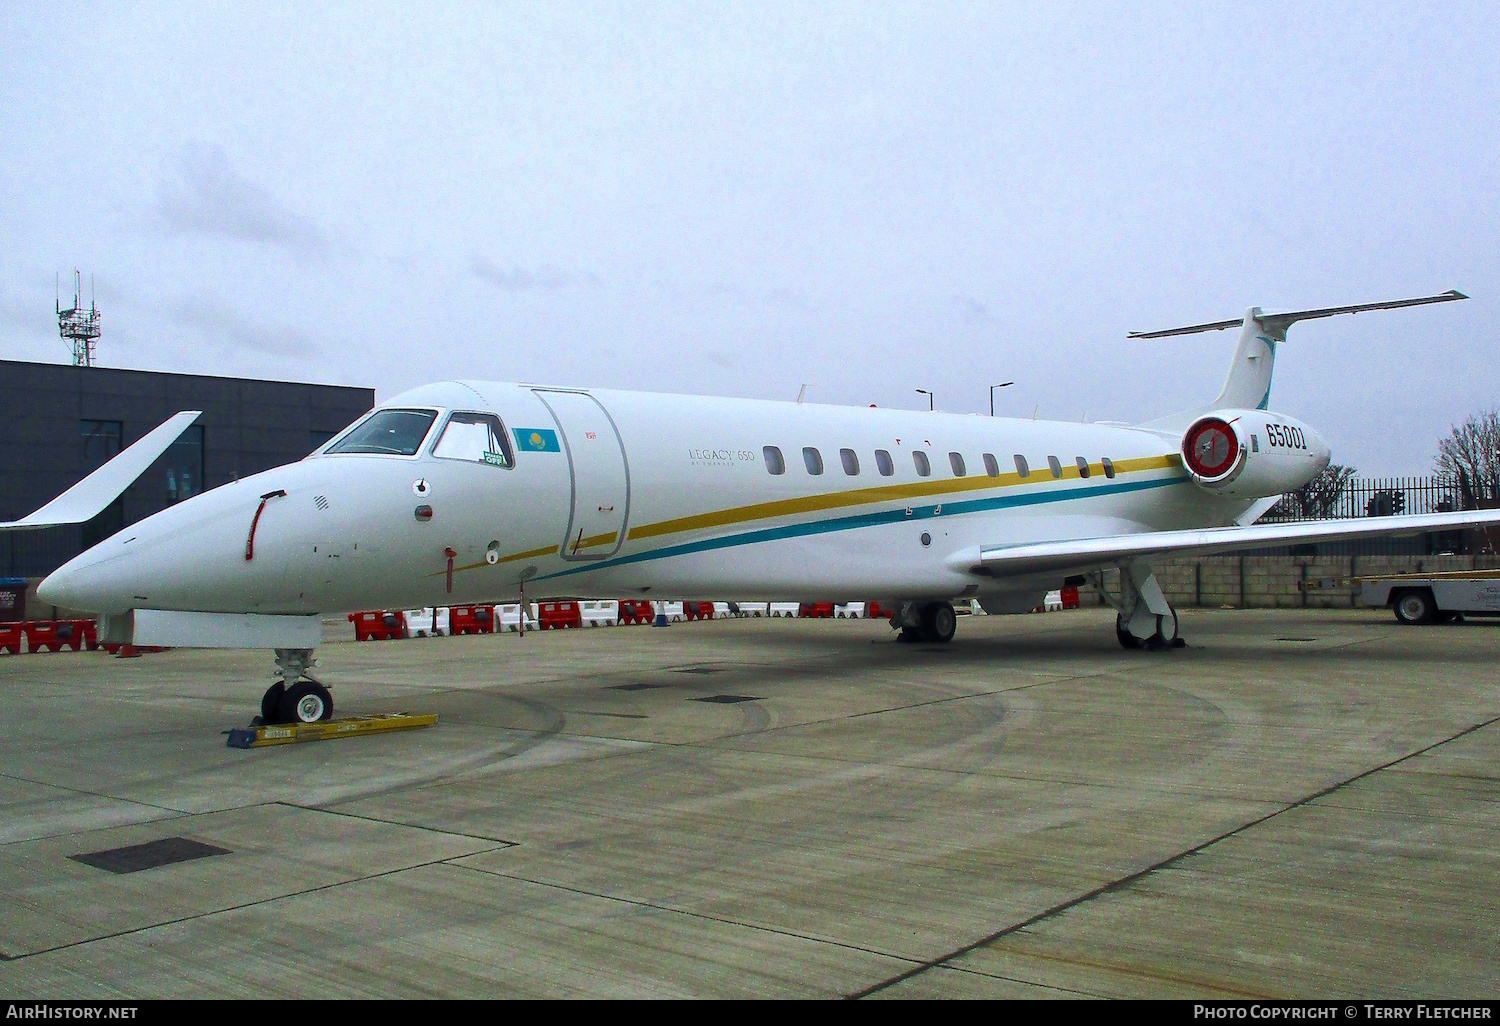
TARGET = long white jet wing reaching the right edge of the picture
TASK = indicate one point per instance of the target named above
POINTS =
(1084, 554)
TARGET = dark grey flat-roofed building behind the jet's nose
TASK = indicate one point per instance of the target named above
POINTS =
(58, 424)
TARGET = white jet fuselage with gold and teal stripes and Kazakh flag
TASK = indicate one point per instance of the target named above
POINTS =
(623, 494)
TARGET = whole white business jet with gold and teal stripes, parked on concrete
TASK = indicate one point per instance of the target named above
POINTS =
(476, 491)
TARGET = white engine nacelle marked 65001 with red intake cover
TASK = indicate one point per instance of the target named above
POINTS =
(1252, 454)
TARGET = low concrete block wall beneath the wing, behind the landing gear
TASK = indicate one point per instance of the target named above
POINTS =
(1276, 583)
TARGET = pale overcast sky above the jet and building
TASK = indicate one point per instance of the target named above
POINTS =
(739, 199)
